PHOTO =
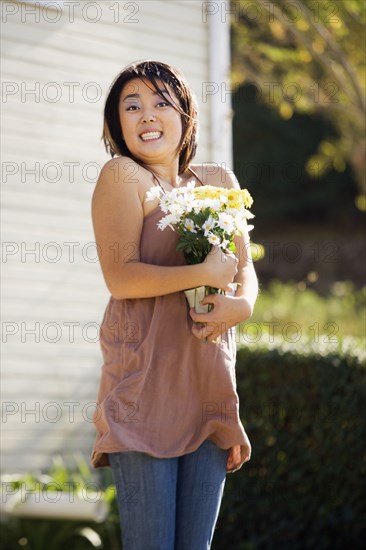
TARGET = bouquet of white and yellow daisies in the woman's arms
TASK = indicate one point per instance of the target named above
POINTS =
(203, 216)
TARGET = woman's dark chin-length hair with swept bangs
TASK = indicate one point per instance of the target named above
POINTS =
(152, 71)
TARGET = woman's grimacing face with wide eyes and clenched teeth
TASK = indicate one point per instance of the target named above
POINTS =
(151, 127)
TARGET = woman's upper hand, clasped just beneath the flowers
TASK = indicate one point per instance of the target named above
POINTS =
(221, 268)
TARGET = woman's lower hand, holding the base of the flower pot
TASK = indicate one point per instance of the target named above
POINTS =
(227, 312)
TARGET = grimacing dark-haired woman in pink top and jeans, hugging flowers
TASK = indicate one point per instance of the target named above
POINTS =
(168, 416)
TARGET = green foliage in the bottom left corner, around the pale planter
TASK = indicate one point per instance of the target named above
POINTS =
(53, 534)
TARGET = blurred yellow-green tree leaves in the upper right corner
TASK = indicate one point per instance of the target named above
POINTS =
(306, 56)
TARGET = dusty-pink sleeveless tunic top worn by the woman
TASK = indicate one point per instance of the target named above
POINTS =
(163, 391)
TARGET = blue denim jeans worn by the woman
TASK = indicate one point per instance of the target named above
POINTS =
(169, 503)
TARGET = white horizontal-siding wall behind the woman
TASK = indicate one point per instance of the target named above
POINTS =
(57, 291)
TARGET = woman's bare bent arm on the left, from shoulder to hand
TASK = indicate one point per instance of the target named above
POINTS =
(118, 219)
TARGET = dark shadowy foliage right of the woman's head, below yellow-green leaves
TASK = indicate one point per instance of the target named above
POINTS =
(271, 158)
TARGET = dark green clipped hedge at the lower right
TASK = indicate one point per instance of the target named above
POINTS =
(304, 487)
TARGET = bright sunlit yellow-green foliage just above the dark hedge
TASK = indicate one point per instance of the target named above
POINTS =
(292, 310)
